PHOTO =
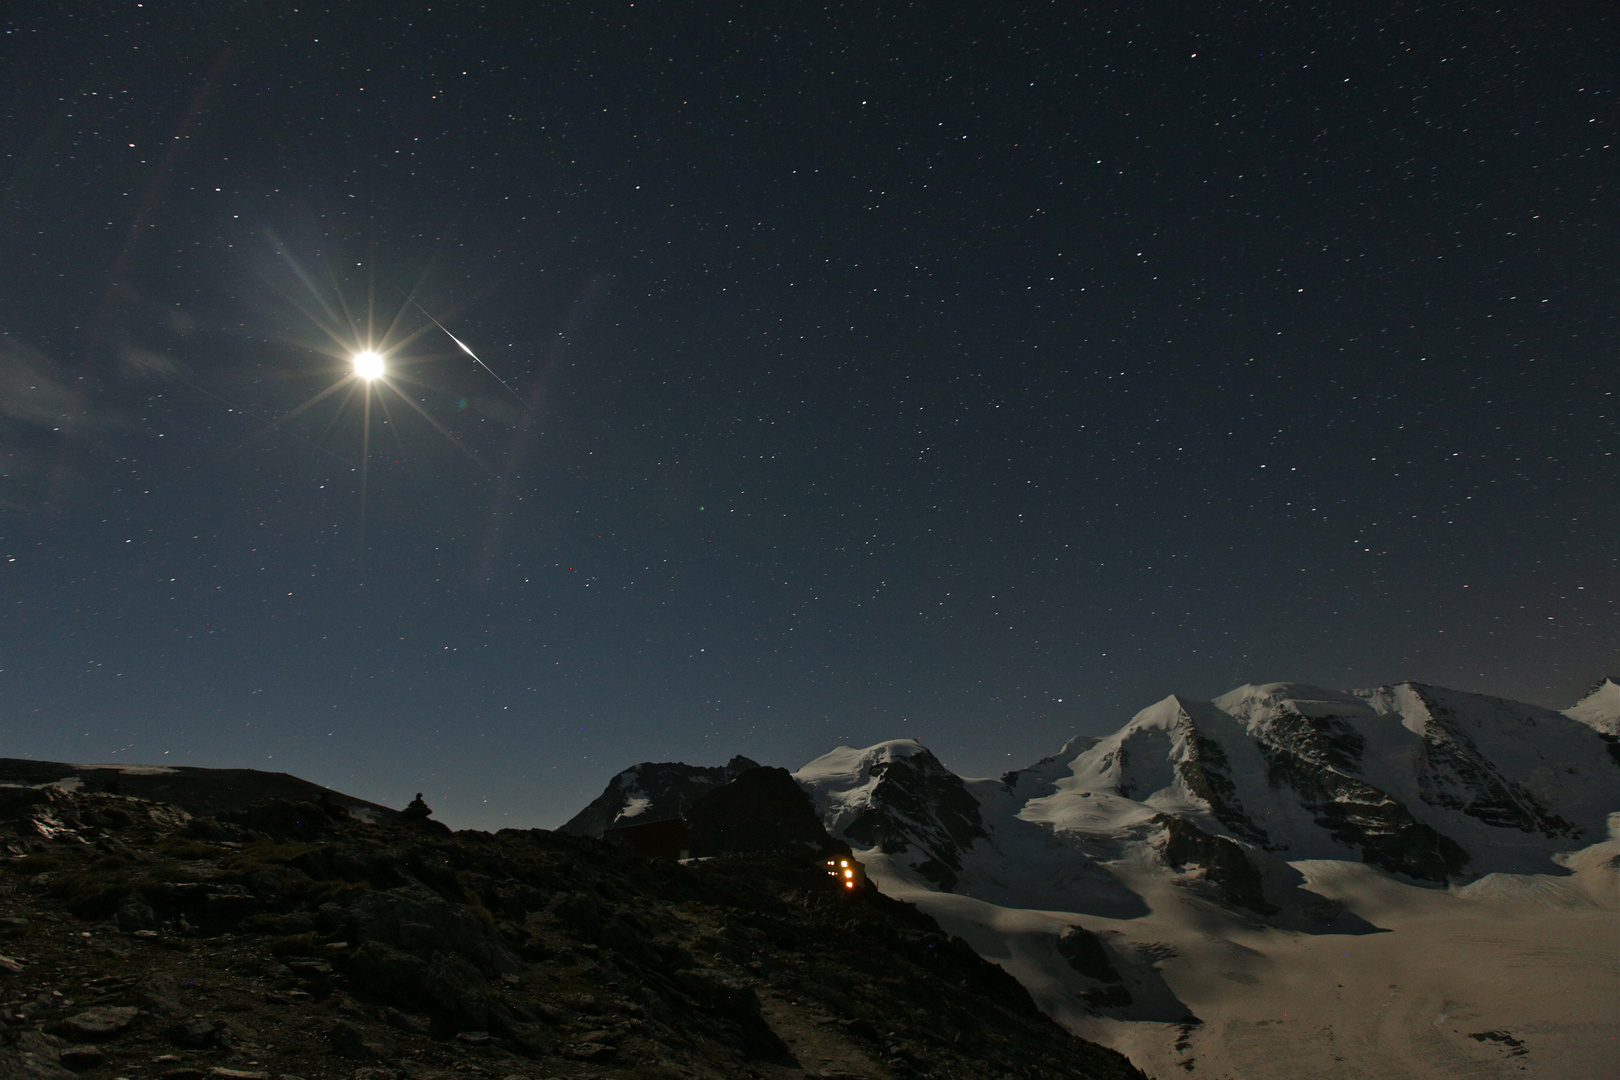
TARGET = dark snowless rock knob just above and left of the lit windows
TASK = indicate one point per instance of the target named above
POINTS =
(762, 810)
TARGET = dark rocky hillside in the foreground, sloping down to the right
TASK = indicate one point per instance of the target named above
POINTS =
(291, 940)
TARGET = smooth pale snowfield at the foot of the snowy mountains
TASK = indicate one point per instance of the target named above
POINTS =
(1507, 977)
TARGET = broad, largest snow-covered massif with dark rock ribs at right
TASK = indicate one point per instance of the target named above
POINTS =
(1418, 780)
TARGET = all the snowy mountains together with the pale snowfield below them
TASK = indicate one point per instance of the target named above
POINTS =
(1287, 880)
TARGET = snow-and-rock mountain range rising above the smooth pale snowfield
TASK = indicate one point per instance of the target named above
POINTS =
(1431, 784)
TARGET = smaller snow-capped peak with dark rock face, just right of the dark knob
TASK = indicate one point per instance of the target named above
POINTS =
(897, 797)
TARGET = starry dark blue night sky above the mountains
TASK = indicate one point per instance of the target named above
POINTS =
(974, 373)
